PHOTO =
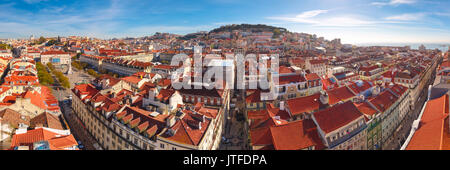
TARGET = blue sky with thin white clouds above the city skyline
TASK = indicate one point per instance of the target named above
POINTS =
(354, 21)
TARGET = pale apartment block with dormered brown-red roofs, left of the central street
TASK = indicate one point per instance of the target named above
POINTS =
(118, 122)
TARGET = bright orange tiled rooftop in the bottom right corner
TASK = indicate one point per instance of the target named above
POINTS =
(431, 130)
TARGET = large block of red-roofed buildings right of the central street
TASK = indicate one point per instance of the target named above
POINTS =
(359, 105)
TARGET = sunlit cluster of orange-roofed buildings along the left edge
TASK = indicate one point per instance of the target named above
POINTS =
(30, 117)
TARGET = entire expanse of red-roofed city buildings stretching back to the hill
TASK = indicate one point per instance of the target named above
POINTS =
(328, 95)
